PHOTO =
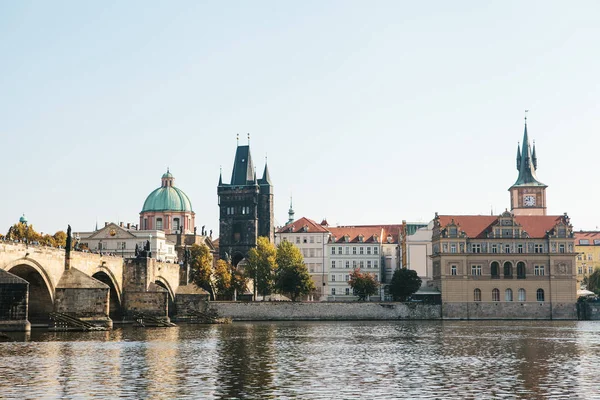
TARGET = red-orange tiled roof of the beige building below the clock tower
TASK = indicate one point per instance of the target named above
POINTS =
(476, 226)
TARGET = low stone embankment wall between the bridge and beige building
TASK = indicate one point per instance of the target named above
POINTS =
(282, 311)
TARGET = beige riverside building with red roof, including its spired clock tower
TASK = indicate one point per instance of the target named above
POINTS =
(518, 265)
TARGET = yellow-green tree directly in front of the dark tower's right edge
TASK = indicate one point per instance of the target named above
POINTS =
(261, 266)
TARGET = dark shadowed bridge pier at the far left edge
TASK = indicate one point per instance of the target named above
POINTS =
(14, 299)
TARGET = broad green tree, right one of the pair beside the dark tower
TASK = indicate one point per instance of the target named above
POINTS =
(292, 276)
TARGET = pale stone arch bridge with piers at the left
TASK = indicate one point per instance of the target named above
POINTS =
(94, 286)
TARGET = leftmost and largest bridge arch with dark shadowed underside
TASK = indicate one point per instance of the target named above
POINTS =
(41, 289)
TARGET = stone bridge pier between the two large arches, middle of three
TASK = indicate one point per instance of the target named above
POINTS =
(81, 296)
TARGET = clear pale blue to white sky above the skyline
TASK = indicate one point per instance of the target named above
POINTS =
(369, 111)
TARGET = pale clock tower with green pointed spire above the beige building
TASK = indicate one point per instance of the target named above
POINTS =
(527, 195)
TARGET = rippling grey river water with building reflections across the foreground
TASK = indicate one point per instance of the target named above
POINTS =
(309, 360)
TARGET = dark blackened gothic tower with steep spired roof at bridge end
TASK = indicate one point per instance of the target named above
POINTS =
(245, 207)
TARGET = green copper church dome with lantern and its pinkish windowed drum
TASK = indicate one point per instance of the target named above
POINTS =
(168, 209)
